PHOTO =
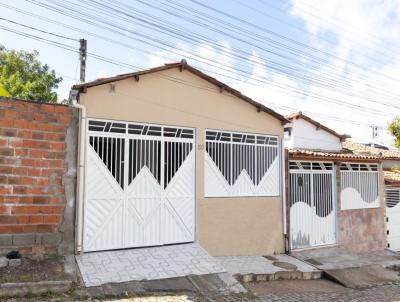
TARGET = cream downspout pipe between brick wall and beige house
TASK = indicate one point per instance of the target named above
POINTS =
(81, 170)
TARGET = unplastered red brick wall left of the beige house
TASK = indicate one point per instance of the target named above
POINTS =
(37, 176)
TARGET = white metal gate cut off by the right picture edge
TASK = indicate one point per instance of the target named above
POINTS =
(392, 197)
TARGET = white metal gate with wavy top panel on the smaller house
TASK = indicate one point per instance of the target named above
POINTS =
(312, 204)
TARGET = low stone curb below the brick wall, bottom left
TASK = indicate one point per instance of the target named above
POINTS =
(24, 288)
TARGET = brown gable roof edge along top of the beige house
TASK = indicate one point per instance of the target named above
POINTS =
(183, 66)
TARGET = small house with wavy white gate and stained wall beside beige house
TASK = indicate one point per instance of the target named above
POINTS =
(334, 195)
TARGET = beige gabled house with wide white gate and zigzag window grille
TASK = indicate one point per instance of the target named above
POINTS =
(172, 156)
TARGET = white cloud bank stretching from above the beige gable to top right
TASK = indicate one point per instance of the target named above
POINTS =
(362, 30)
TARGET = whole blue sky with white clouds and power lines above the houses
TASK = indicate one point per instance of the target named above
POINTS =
(335, 60)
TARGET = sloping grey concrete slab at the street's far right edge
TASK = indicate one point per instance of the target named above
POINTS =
(360, 277)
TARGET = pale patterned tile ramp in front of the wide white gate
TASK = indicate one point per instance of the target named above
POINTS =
(146, 264)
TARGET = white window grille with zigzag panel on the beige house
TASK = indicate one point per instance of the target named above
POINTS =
(248, 164)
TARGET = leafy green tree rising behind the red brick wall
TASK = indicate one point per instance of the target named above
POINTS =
(25, 77)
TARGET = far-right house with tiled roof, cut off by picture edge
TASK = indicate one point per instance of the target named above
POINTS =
(391, 164)
